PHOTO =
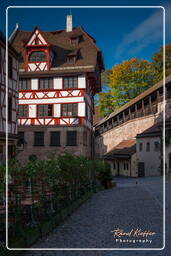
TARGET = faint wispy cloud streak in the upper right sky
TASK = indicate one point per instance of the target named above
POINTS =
(144, 34)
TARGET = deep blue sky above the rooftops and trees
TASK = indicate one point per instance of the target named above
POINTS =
(121, 33)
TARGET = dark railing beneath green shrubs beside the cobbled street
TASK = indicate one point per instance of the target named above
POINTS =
(28, 207)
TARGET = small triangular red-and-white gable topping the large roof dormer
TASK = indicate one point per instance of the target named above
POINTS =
(36, 39)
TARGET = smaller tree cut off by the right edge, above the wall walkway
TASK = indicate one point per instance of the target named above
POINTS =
(158, 62)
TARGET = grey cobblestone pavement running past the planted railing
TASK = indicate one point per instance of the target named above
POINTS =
(134, 203)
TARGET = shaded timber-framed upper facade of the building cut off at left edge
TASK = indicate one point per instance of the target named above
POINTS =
(12, 92)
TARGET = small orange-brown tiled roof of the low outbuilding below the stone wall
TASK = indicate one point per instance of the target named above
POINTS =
(124, 149)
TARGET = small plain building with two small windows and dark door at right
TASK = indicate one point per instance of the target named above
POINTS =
(150, 150)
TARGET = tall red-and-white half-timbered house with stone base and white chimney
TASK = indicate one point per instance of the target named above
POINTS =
(60, 72)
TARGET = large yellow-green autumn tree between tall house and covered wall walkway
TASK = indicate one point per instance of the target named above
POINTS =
(126, 81)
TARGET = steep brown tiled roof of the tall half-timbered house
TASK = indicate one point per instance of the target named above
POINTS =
(89, 53)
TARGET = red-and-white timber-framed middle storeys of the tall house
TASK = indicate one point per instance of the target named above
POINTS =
(57, 96)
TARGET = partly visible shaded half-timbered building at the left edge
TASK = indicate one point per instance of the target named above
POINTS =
(12, 98)
